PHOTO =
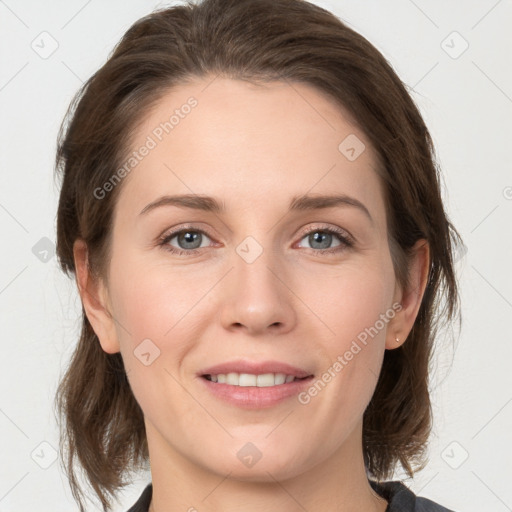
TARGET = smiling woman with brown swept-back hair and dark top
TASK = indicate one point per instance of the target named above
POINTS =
(251, 207)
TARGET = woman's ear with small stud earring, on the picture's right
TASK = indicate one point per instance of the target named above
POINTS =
(410, 298)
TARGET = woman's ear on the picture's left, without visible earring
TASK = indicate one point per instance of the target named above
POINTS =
(93, 293)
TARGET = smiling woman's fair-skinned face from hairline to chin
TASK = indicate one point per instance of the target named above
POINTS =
(255, 284)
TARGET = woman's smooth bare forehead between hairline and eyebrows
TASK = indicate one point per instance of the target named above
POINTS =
(241, 141)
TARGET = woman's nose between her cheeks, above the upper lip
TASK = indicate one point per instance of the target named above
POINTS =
(257, 298)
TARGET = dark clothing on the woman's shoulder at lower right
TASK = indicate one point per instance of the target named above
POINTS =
(402, 499)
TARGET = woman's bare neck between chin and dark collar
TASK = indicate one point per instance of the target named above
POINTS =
(337, 483)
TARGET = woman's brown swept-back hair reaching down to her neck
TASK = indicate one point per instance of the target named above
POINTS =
(102, 425)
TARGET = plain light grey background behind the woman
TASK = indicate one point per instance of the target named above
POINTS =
(466, 99)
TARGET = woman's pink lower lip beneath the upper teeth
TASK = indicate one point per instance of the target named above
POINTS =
(252, 397)
